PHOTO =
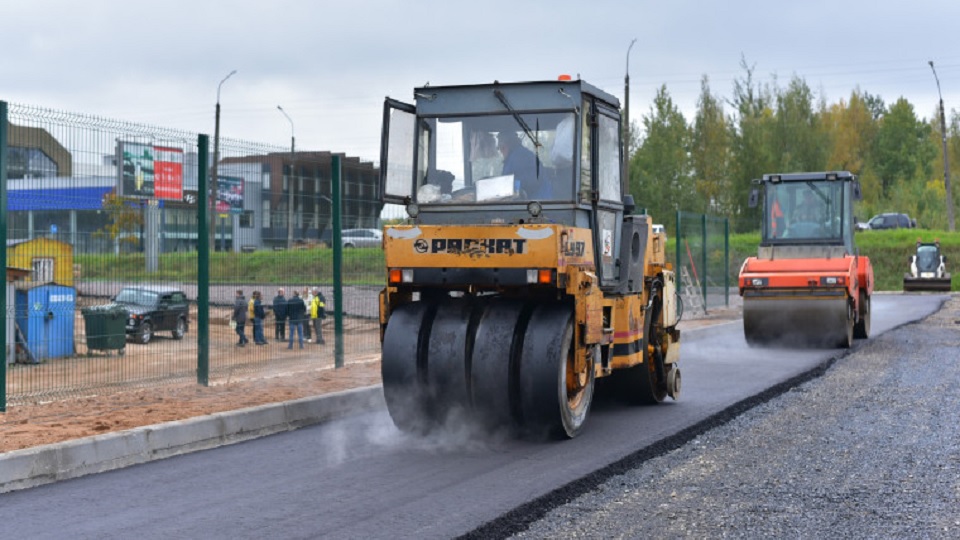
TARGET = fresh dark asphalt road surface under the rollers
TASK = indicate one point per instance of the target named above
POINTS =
(360, 478)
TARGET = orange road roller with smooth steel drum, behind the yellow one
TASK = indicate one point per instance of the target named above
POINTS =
(807, 286)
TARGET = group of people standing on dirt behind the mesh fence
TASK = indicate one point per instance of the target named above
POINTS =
(302, 312)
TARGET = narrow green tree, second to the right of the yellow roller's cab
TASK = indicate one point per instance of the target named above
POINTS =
(710, 153)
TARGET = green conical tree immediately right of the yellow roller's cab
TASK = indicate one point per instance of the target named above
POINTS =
(660, 170)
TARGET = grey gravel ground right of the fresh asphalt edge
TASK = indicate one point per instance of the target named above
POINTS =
(871, 449)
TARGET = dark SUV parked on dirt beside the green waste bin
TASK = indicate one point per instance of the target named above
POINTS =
(154, 309)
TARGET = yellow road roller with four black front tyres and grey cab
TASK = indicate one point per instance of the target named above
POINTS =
(521, 273)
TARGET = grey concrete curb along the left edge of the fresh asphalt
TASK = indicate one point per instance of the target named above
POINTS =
(32, 467)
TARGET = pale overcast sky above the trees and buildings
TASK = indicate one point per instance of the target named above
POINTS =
(330, 64)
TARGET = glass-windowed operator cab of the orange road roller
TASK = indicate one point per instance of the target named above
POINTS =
(808, 209)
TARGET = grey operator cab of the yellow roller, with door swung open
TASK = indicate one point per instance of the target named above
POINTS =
(485, 153)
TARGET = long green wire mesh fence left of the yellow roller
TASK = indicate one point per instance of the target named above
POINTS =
(94, 206)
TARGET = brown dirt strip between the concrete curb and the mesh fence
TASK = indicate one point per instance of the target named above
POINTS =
(26, 426)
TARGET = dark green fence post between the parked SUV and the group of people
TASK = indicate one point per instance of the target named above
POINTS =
(203, 262)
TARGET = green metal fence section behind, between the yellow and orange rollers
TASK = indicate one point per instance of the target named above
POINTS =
(703, 262)
